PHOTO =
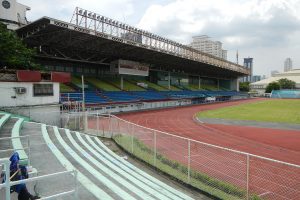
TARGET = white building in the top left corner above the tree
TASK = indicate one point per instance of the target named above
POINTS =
(13, 14)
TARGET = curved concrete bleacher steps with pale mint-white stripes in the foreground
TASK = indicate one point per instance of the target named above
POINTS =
(101, 173)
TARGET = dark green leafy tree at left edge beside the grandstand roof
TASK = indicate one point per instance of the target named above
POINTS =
(13, 52)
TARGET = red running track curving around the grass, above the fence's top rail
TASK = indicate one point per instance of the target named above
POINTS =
(277, 144)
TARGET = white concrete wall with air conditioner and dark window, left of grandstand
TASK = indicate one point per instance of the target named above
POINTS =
(9, 97)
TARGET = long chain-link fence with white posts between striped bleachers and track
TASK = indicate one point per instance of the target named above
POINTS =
(222, 172)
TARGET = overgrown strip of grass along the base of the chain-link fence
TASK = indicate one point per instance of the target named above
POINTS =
(210, 185)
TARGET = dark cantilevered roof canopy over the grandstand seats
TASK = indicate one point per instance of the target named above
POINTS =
(67, 41)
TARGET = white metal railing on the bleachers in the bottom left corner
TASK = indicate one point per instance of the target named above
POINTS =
(7, 183)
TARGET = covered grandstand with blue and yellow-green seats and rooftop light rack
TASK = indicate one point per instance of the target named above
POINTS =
(118, 68)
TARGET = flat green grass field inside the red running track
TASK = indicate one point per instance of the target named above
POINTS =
(282, 111)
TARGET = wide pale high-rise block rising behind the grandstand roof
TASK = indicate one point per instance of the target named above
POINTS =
(204, 44)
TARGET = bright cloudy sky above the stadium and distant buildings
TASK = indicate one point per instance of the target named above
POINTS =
(267, 30)
